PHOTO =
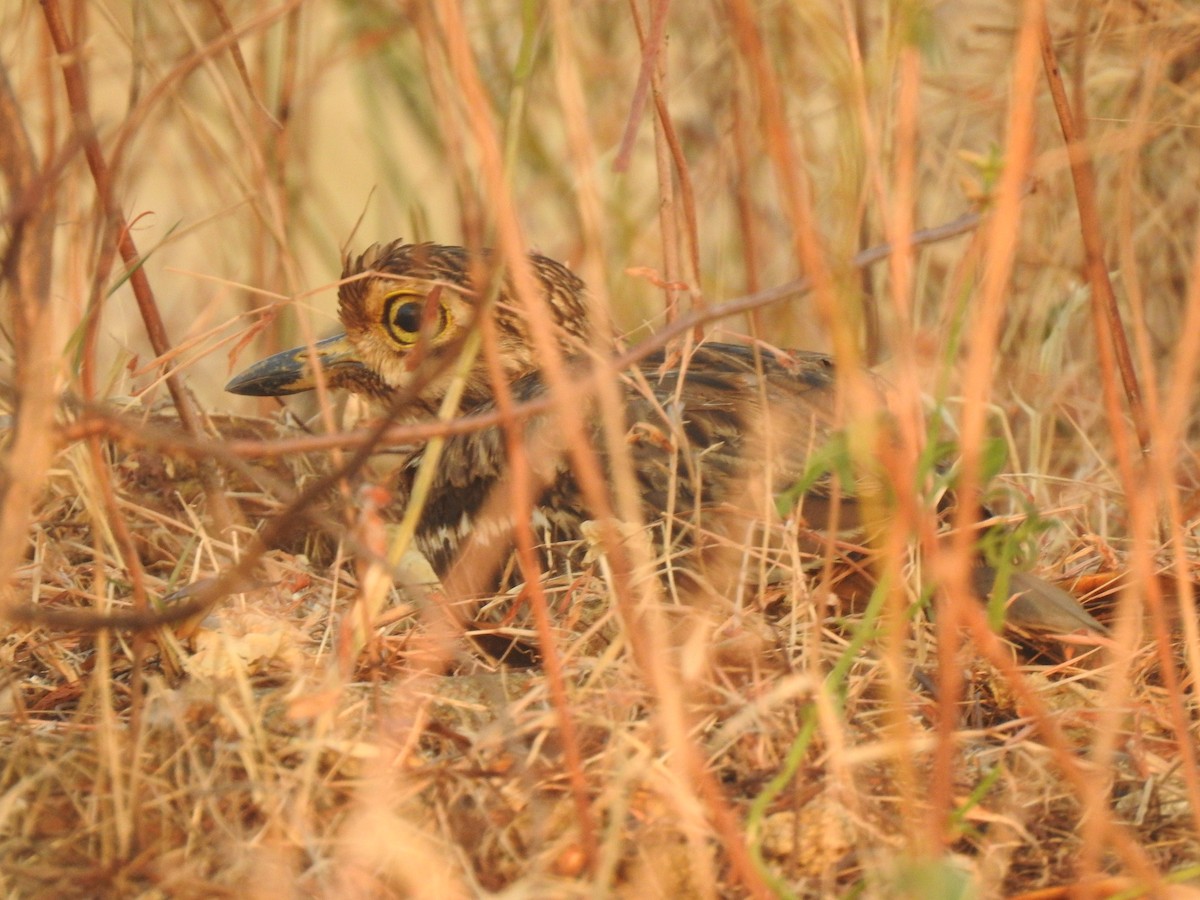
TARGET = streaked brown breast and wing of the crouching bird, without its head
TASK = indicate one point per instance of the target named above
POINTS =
(698, 436)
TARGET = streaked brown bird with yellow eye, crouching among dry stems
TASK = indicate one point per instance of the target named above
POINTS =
(716, 436)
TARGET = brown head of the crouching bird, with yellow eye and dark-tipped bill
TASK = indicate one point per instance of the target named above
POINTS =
(407, 310)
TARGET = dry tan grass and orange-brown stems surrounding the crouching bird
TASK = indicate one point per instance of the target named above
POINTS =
(272, 747)
